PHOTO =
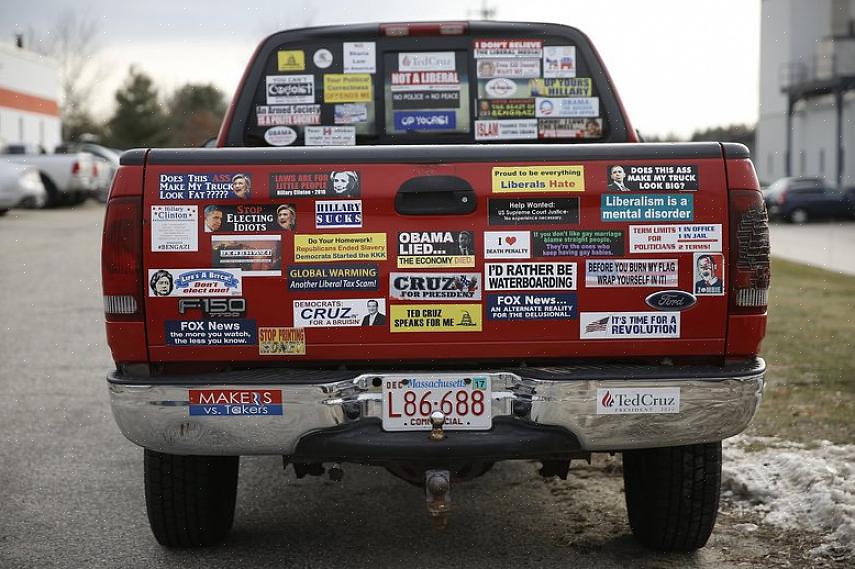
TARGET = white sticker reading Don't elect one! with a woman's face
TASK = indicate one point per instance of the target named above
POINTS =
(194, 282)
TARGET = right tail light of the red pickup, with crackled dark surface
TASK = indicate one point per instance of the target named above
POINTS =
(749, 262)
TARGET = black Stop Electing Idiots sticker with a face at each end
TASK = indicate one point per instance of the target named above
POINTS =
(249, 218)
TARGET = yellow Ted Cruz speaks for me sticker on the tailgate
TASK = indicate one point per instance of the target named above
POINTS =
(436, 318)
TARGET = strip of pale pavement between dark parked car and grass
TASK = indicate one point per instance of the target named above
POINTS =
(829, 245)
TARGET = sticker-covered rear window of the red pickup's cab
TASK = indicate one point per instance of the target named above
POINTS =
(478, 87)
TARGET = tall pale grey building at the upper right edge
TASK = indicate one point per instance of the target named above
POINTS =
(807, 90)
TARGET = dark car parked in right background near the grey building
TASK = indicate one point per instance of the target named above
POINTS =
(800, 199)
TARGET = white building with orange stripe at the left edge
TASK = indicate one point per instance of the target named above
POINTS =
(29, 98)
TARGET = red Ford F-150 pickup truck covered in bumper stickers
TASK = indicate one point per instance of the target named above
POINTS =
(432, 247)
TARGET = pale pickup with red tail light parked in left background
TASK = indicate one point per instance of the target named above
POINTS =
(69, 179)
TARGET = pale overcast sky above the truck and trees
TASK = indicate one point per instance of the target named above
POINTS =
(678, 65)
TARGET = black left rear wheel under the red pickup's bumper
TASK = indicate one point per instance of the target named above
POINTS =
(190, 499)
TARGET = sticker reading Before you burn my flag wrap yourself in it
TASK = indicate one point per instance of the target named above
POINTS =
(616, 273)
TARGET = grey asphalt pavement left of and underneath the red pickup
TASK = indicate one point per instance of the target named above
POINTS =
(71, 486)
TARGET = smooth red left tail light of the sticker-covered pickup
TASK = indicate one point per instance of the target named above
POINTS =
(121, 259)
